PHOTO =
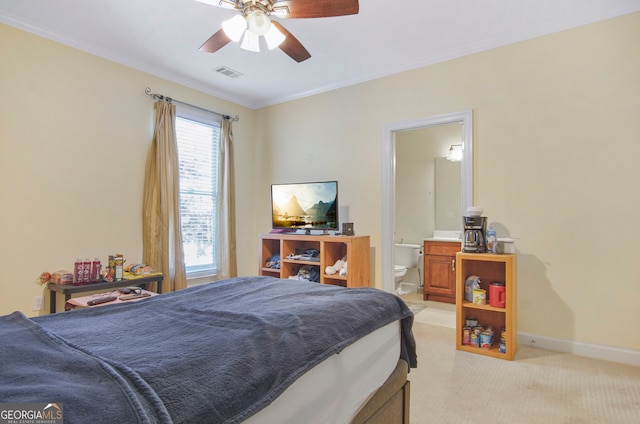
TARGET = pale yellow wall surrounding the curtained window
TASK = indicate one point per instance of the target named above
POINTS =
(74, 132)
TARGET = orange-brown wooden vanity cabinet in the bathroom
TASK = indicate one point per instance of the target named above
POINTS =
(440, 270)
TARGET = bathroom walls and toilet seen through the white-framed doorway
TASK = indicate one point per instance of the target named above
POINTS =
(427, 193)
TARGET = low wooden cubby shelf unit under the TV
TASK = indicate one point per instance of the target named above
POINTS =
(332, 248)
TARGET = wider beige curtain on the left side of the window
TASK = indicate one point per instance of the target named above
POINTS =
(161, 230)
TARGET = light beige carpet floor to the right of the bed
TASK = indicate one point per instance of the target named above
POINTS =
(539, 386)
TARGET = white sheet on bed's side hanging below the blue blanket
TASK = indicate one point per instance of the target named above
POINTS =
(335, 390)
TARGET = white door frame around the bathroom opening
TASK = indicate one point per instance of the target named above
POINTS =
(391, 132)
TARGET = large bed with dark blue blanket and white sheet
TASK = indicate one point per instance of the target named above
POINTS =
(249, 349)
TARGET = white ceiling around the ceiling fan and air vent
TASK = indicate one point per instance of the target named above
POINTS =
(162, 37)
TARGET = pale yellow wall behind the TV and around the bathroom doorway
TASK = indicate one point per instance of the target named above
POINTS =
(556, 130)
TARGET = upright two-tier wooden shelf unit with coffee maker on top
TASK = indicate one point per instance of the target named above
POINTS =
(489, 267)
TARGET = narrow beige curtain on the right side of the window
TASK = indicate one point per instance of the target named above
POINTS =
(226, 224)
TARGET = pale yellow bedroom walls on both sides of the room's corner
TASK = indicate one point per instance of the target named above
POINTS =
(555, 131)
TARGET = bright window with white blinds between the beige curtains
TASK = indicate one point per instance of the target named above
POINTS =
(197, 135)
